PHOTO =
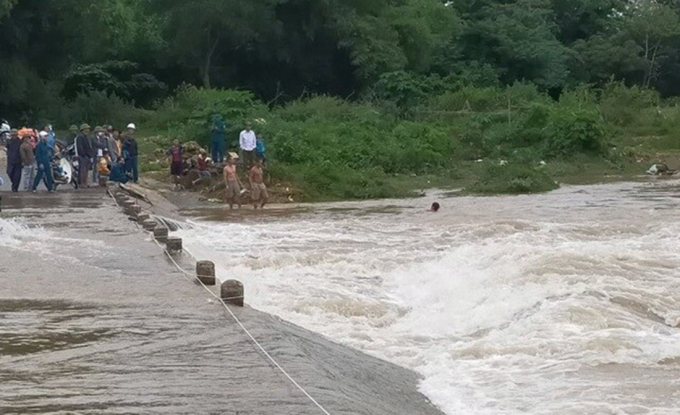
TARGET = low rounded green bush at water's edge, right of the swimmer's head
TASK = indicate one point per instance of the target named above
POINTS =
(512, 179)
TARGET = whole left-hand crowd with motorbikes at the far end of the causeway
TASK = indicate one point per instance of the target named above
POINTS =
(39, 156)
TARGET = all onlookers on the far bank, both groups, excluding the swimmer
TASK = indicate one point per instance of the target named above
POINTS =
(86, 156)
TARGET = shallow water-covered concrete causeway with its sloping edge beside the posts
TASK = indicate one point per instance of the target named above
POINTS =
(94, 319)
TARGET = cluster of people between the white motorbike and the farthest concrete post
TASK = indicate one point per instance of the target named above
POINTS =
(107, 152)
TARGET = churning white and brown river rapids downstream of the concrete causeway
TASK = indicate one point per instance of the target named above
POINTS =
(564, 303)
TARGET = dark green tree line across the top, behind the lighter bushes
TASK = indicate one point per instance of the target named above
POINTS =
(54, 51)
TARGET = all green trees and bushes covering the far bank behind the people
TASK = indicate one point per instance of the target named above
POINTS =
(364, 99)
